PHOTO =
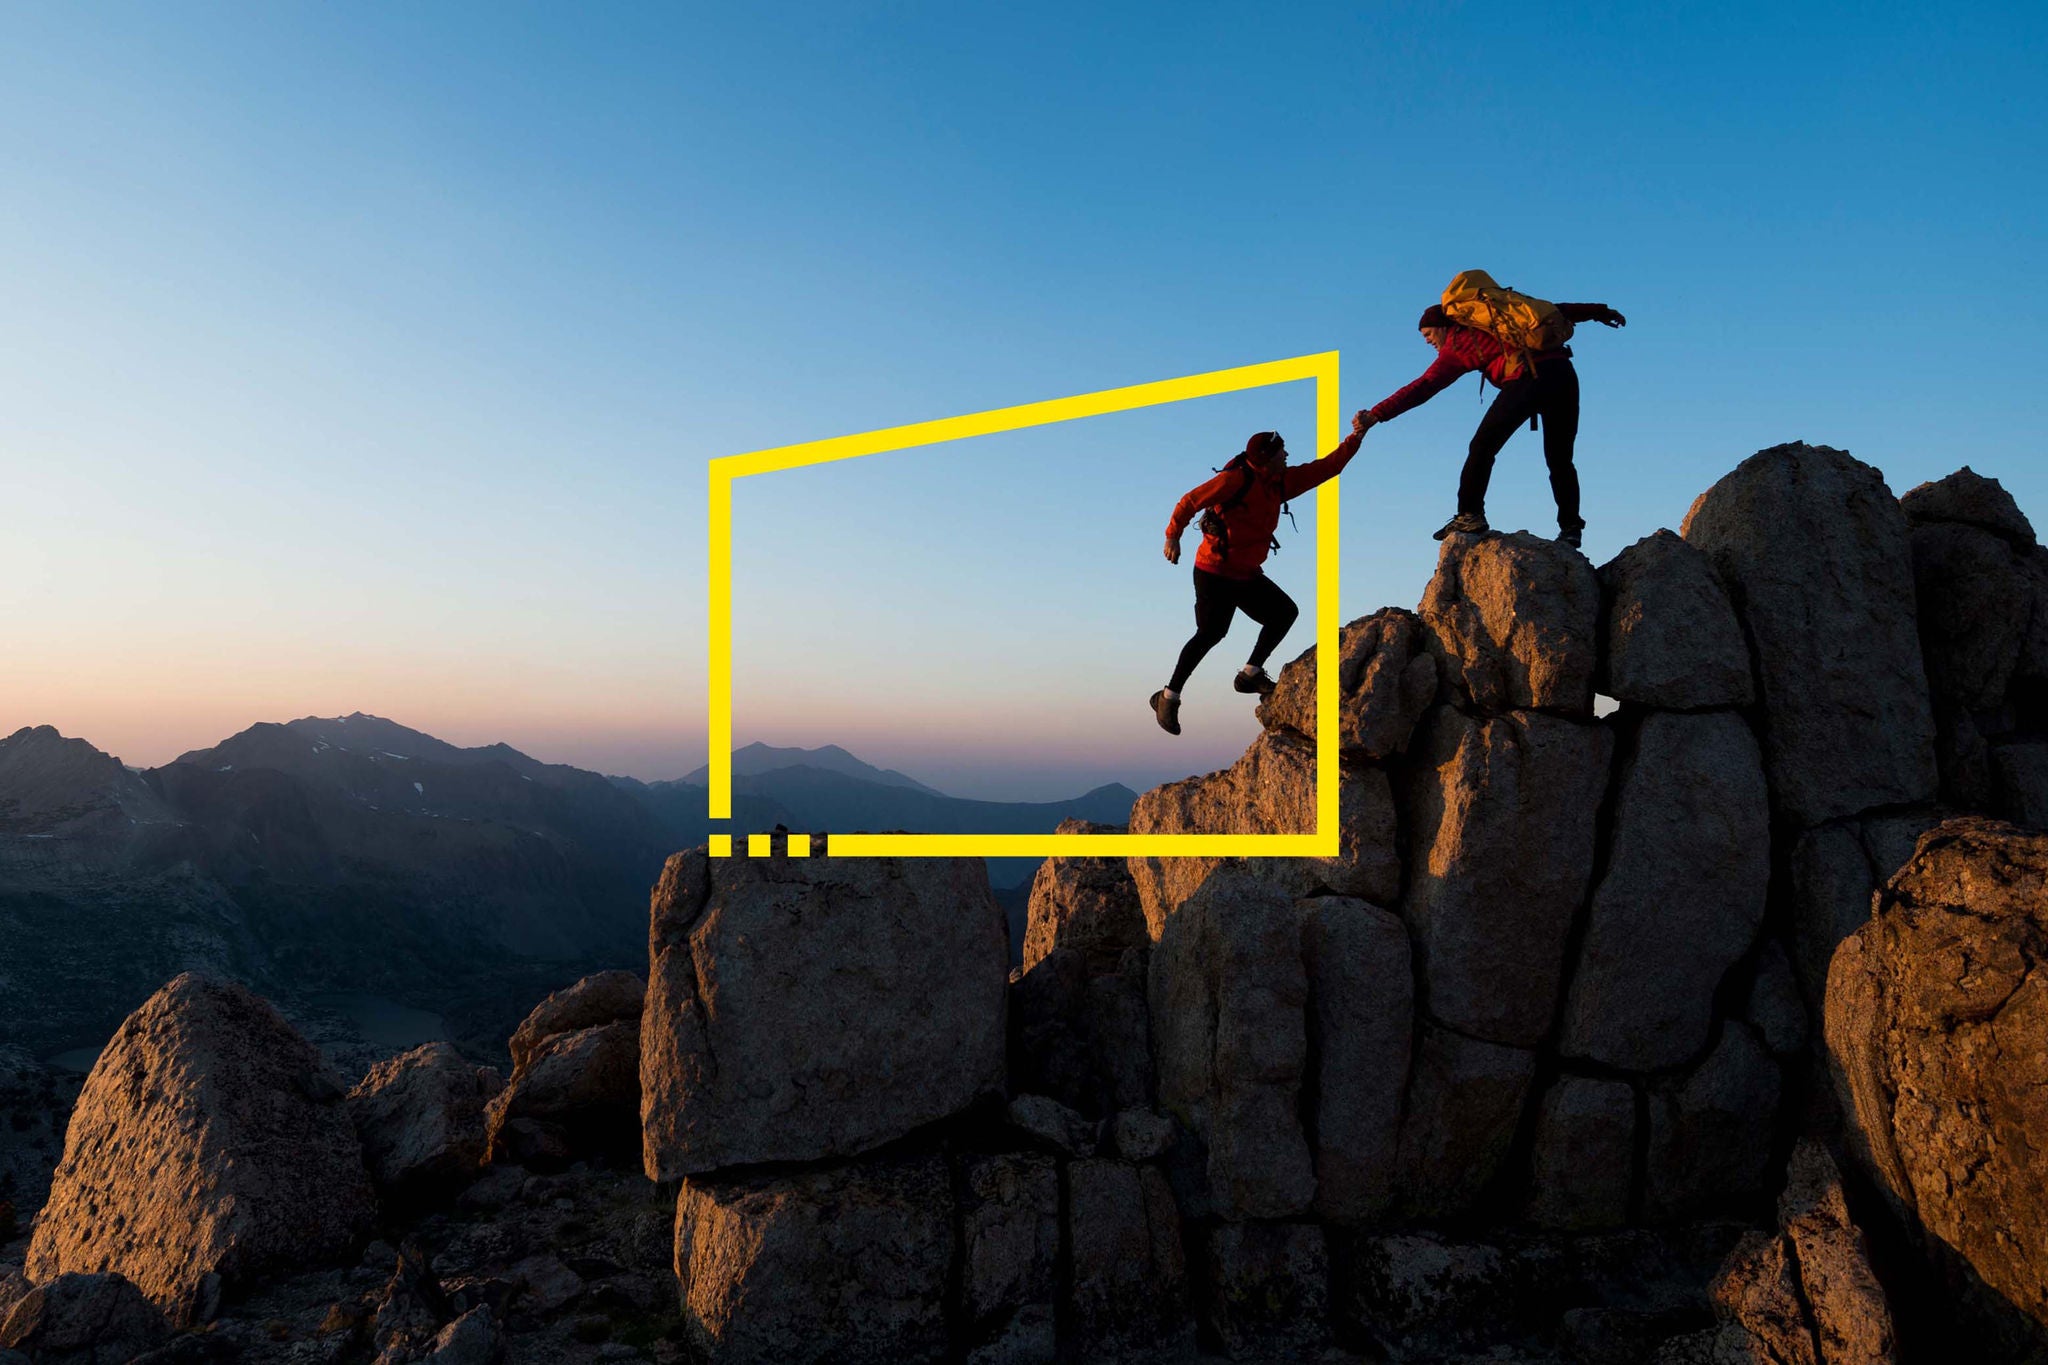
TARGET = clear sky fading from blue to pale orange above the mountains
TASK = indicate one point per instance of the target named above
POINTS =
(368, 359)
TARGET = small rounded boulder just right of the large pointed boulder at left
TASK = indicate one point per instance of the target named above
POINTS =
(421, 1120)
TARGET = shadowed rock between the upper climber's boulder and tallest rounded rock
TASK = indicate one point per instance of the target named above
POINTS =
(1670, 635)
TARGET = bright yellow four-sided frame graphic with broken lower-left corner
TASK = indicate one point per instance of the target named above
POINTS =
(726, 470)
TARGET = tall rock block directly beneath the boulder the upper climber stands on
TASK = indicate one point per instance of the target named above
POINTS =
(1500, 816)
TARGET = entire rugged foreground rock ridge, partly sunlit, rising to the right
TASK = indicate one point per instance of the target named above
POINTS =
(1697, 1028)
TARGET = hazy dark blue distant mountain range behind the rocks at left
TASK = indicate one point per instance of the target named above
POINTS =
(361, 856)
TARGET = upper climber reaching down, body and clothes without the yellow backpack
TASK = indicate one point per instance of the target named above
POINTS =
(1547, 388)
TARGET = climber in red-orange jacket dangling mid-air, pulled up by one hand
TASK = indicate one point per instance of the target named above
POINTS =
(1240, 513)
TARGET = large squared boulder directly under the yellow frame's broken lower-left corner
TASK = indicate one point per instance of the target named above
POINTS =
(806, 1008)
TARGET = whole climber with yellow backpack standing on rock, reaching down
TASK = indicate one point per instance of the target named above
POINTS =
(1519, 343)
